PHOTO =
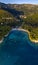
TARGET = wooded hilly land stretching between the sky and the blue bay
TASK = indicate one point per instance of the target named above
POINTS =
(19, 15)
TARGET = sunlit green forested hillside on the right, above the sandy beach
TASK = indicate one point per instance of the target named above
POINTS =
(31, 24)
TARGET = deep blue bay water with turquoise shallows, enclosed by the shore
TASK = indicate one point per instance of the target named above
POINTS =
(17, 49)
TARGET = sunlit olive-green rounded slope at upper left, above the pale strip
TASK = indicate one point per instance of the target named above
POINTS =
(5, 14)
